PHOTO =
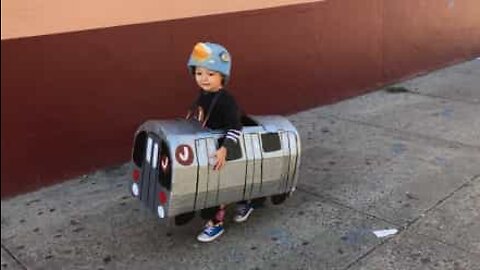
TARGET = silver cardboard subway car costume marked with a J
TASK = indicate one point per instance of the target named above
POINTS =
(173, 163)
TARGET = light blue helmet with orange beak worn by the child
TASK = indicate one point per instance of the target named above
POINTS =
(211, 56)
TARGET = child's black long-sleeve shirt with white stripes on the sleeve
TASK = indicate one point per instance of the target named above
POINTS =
(225, 115)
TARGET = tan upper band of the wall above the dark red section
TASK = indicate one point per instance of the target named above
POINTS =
(24, 18)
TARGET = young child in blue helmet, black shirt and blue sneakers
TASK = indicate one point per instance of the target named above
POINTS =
(215, 108)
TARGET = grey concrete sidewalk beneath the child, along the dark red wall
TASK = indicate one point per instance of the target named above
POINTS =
(397, 158)
